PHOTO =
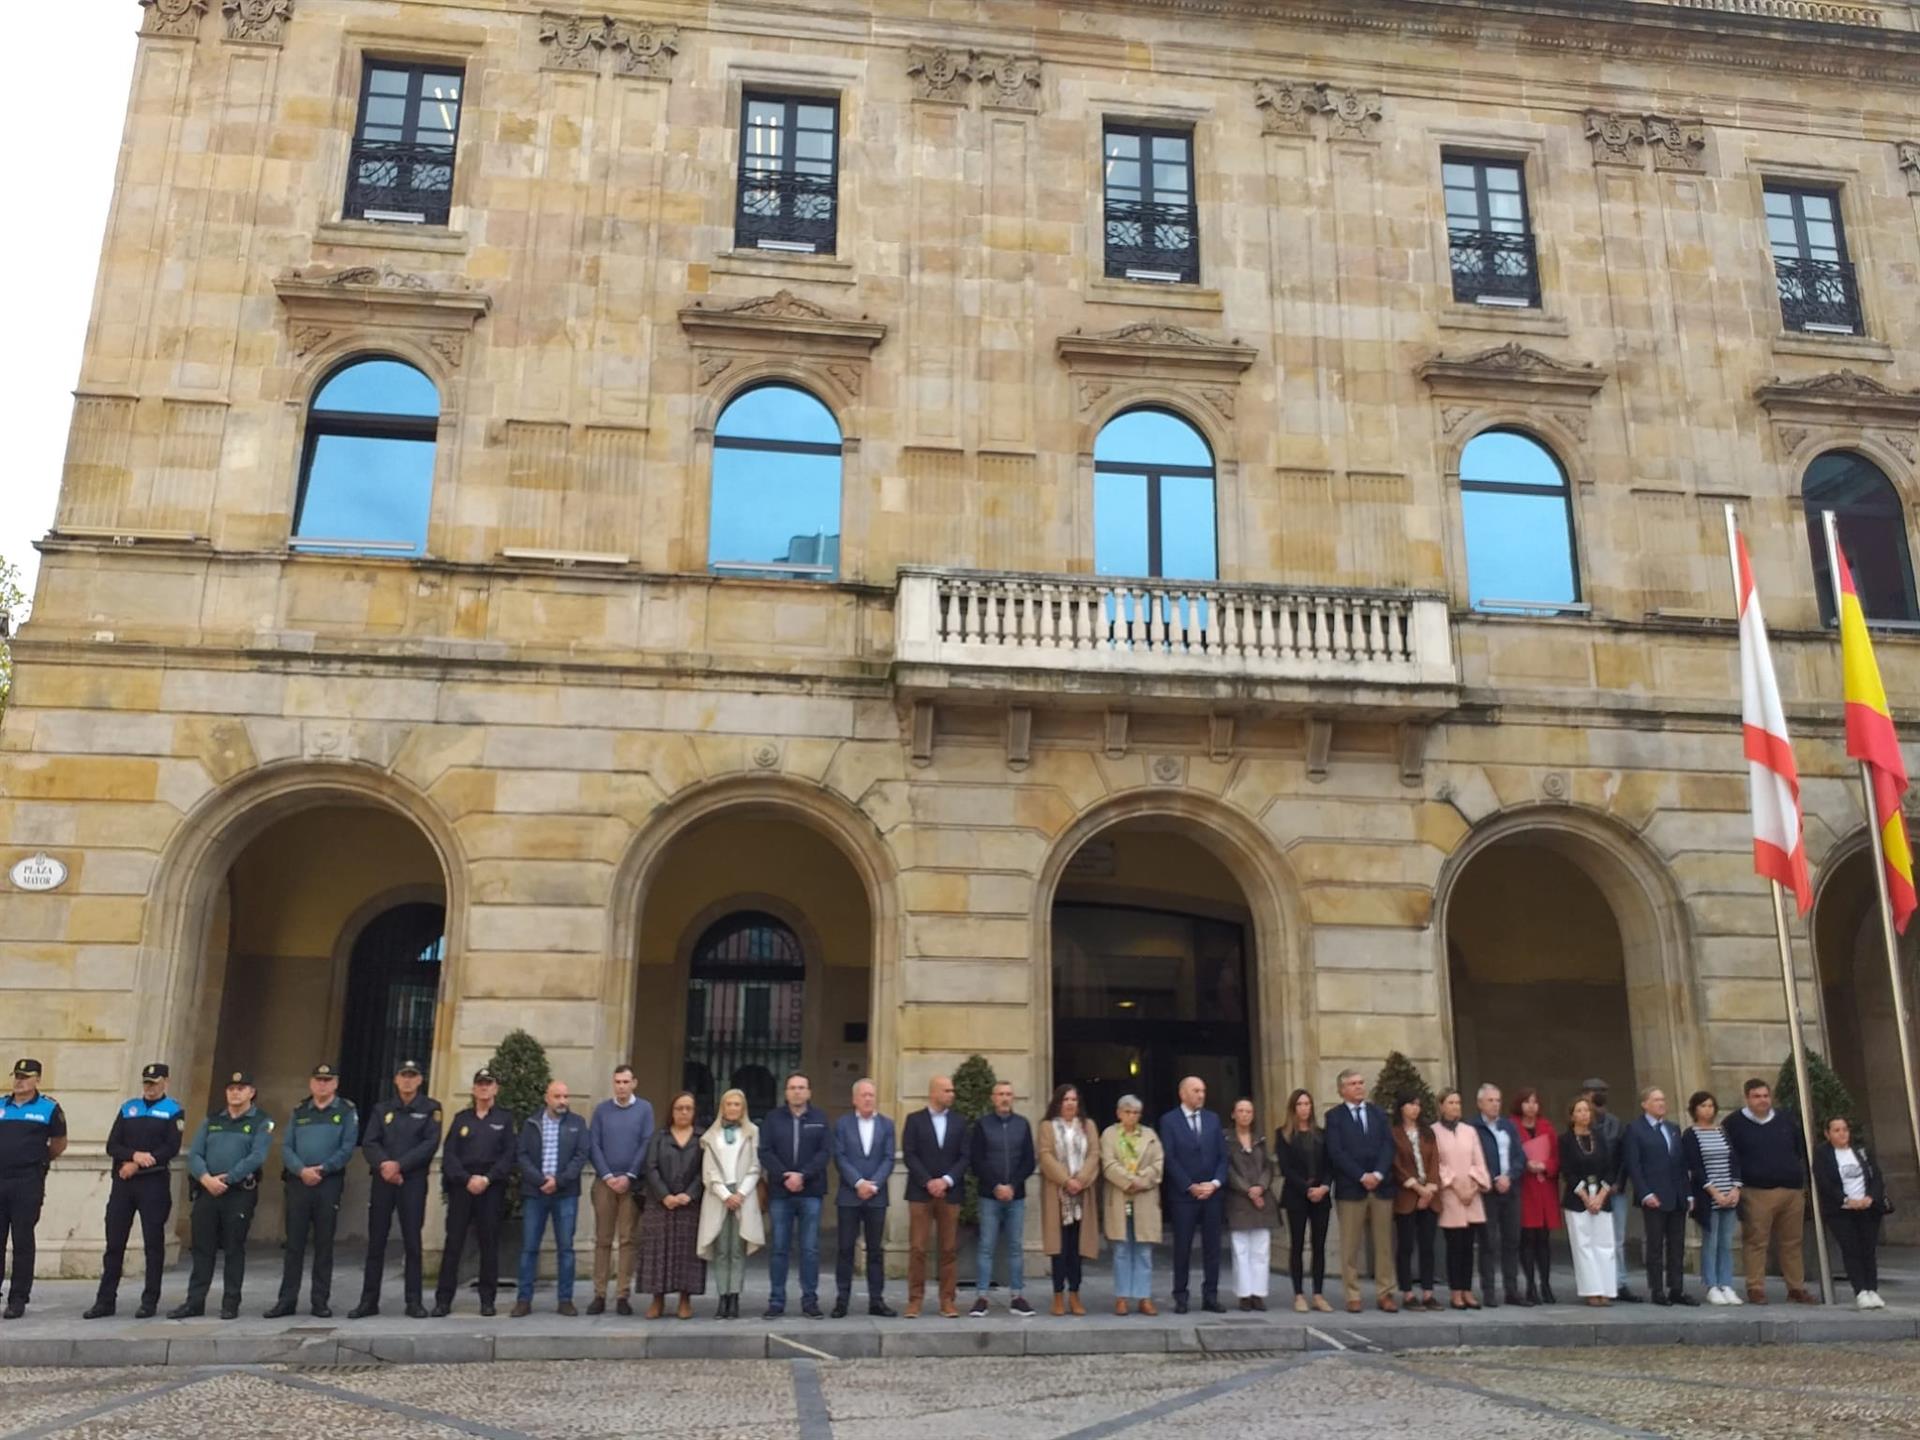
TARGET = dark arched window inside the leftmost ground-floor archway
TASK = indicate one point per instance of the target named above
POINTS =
(393, 990)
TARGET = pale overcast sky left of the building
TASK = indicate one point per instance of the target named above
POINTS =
(60, 180)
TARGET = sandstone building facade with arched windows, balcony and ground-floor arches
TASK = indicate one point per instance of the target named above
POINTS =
(946, 779)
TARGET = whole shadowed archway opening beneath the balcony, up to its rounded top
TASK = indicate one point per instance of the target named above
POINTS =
(1153, 972)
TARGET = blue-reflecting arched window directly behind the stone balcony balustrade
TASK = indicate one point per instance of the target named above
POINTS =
(1153, 498)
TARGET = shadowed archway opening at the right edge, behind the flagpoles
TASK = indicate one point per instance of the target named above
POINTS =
(1858, 1007)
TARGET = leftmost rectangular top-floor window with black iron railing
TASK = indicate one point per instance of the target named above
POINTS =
(402, 166)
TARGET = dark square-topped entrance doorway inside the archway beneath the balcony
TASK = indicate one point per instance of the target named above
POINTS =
(1145, 997)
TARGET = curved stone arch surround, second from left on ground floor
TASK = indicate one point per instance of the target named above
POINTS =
(819, 809)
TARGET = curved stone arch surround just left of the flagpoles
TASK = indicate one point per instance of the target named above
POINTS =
(1648, 907)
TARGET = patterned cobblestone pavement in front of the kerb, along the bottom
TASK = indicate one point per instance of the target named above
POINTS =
(1694, 1393)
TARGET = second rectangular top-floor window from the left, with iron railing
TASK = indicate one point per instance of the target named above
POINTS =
(788, 176)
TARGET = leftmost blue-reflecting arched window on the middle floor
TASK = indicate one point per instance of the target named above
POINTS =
(368, 475)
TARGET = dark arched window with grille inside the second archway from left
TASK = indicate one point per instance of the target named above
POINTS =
(744, 1011)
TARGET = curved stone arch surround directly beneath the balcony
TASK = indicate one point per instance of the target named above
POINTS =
(1284, 1015)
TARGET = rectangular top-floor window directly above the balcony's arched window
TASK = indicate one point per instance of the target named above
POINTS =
(1153, 231)
